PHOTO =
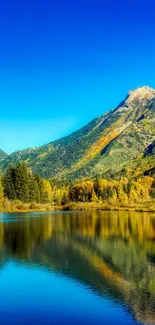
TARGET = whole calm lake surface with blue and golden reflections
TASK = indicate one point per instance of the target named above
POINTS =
(77, 268)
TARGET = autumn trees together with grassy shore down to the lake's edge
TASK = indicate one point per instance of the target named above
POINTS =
(21, 190)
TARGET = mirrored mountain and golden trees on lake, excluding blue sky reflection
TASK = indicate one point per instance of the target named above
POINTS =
(111, 252)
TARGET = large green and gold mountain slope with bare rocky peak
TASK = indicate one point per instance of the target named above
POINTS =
(120, 142)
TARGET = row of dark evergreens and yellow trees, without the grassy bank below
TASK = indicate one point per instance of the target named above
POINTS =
(19, 183)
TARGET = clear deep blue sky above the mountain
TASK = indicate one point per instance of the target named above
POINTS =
(63, 63)
